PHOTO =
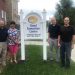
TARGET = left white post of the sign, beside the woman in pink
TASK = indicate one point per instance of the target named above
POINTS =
(22, 36)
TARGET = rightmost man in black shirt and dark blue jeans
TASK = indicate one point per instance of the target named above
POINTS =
(66, 39)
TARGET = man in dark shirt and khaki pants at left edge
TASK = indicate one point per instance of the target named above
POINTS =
(3, 44)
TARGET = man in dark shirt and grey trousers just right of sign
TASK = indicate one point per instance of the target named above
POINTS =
(53, 32)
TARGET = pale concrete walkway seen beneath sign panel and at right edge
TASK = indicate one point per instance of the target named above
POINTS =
(41, 43)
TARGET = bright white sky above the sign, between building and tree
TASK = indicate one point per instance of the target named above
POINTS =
(48, 5)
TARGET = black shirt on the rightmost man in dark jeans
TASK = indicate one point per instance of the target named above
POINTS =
(66, 33)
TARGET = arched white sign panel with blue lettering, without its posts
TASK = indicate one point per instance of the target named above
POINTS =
(33, 26)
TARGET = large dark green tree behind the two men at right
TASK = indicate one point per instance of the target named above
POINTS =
(65, 9)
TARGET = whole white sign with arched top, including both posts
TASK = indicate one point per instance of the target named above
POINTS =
(33, 26)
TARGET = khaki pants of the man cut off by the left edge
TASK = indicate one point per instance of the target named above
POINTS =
(3, 51)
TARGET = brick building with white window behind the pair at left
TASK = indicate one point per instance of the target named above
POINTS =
(9, 10)
